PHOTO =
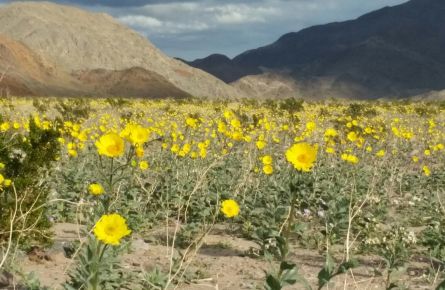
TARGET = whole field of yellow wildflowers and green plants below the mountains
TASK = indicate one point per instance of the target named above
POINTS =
(359, 188)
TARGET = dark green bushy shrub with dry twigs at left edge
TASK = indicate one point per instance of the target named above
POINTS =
(26, 159)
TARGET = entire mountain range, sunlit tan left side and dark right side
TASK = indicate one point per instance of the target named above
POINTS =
(50, 49)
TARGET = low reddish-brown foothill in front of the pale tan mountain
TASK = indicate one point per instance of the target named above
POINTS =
(22, 72)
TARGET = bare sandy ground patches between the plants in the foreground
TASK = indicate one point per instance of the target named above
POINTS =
(222, 263)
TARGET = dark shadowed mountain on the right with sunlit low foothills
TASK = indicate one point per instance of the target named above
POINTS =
(396, 51)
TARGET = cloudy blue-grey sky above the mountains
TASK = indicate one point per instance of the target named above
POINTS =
(196, 28)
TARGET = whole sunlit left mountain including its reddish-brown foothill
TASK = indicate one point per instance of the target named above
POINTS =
(82, 50)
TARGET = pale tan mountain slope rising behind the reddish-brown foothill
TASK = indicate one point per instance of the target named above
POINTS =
(76, 40)
